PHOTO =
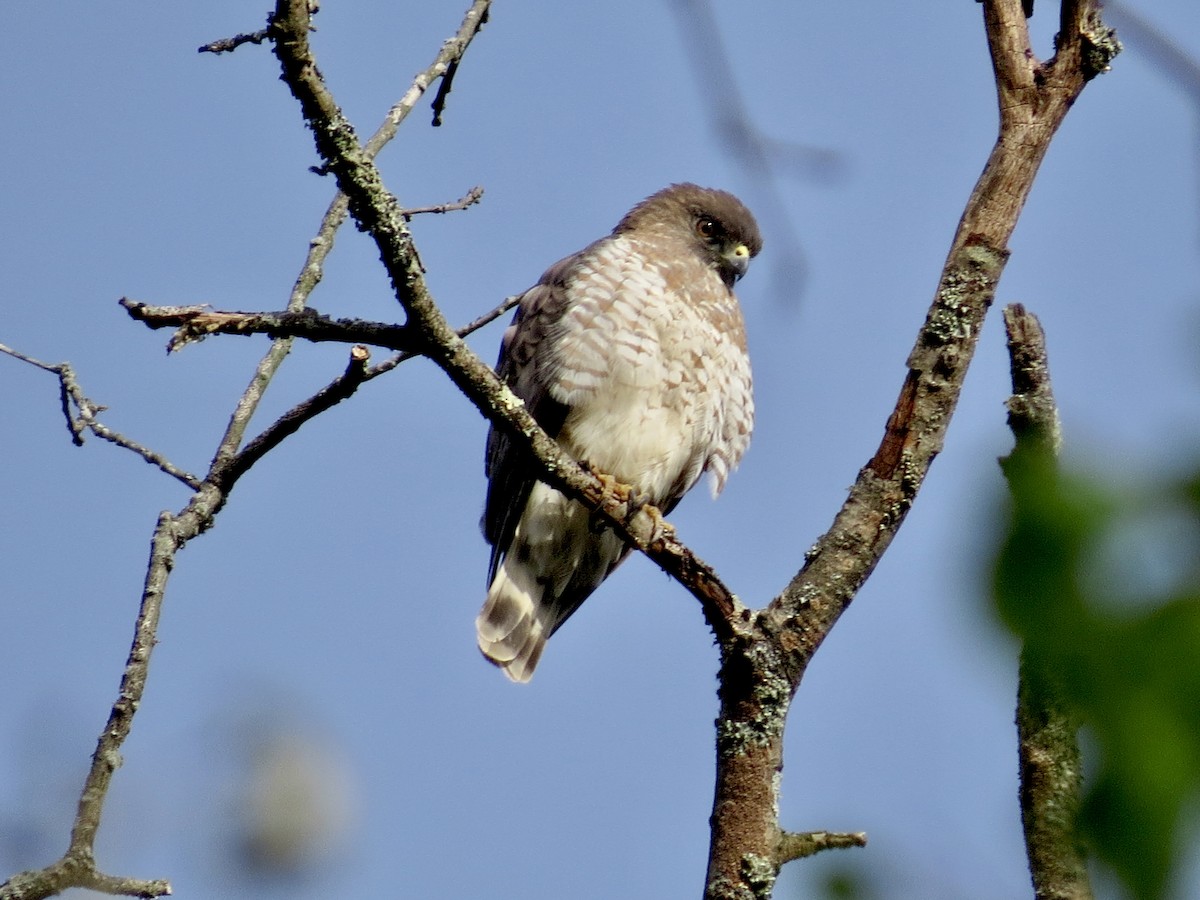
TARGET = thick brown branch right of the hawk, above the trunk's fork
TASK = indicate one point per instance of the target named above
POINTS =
(1031, 111)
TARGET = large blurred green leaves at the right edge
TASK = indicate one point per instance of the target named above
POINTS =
(1103, 589)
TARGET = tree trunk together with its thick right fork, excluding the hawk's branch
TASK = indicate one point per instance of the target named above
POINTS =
(763, 669)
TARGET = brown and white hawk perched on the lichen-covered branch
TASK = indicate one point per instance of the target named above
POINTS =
(633, 356)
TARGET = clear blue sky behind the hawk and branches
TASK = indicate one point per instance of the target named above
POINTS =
(334, 602)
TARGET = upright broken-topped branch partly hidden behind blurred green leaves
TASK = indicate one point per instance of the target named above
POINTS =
(1048, 749)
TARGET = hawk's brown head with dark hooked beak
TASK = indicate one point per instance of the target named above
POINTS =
(716, 224)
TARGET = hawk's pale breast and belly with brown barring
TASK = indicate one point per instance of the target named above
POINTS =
(649, 369)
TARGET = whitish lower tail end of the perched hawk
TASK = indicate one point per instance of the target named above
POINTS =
(511, 628)
